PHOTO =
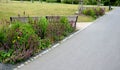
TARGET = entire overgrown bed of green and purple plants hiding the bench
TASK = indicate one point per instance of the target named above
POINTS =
(19, 41)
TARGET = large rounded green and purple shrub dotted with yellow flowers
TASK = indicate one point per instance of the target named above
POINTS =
(21, 42)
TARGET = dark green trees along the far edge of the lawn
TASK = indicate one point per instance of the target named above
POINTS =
(86, 2)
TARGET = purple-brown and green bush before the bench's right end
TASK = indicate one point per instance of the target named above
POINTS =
(57, 31)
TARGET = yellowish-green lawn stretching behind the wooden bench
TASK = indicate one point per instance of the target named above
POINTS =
(13, 8)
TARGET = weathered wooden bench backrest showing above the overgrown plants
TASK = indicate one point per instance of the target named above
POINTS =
(72, 19)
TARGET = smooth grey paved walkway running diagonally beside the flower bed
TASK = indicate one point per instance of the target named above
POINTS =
(95, 48)
